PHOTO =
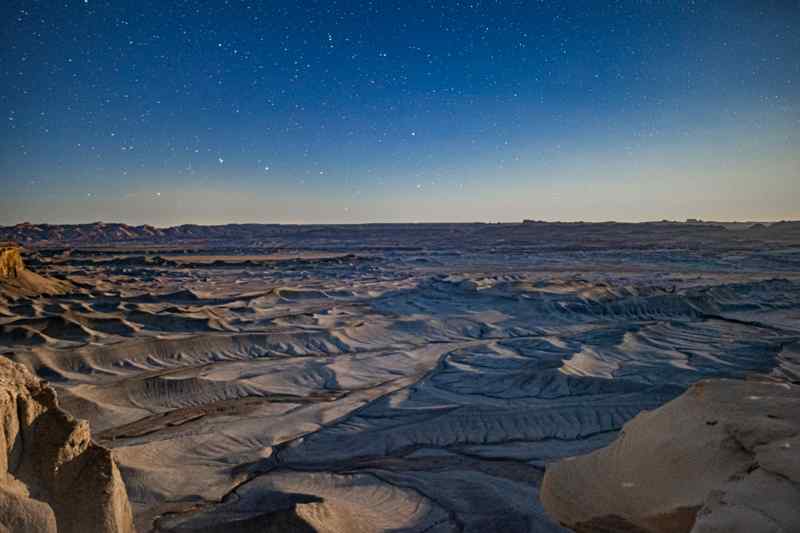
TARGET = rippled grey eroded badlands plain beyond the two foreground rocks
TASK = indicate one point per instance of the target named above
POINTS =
(388, 378)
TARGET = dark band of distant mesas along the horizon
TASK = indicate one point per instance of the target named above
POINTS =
(361, 235)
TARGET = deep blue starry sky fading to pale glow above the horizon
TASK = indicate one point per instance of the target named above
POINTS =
(169, 112)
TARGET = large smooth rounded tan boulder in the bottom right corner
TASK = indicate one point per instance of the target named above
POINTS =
(723, 457)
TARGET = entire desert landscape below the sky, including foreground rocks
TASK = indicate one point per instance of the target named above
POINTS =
(420, 377)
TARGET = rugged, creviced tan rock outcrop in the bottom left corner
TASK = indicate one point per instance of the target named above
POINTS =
(52, 476)
